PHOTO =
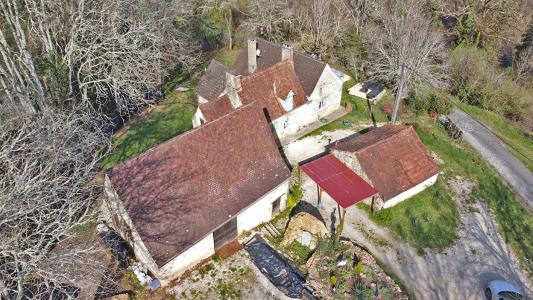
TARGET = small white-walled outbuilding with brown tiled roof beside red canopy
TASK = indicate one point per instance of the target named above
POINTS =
(392, 159)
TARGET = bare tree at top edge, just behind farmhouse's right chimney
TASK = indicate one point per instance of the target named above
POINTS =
(321, 23)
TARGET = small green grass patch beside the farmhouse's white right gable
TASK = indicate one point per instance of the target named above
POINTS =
(358, 115)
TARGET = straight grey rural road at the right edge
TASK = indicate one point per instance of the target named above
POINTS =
(492, 149)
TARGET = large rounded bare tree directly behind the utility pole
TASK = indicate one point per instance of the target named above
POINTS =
(402, 34)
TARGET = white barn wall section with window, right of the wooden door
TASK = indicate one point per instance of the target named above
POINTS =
(261, 210)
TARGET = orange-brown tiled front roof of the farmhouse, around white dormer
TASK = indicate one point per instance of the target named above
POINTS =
(264, 87)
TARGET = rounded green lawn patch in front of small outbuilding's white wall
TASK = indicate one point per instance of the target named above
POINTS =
(427, 220)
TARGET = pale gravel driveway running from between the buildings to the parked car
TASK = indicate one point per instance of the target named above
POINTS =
(460, 272)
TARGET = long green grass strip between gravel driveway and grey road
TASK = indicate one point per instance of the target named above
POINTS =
(515, 222)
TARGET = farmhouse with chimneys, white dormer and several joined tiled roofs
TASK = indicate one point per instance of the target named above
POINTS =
(295, 90)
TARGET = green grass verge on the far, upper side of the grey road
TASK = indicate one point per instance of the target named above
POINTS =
(519, 143)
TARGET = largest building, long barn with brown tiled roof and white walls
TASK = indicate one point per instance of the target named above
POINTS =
(179, 202)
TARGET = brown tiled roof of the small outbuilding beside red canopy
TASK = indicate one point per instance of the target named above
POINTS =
(393, 158)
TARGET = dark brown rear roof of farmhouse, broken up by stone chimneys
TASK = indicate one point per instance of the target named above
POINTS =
(307, 69)
